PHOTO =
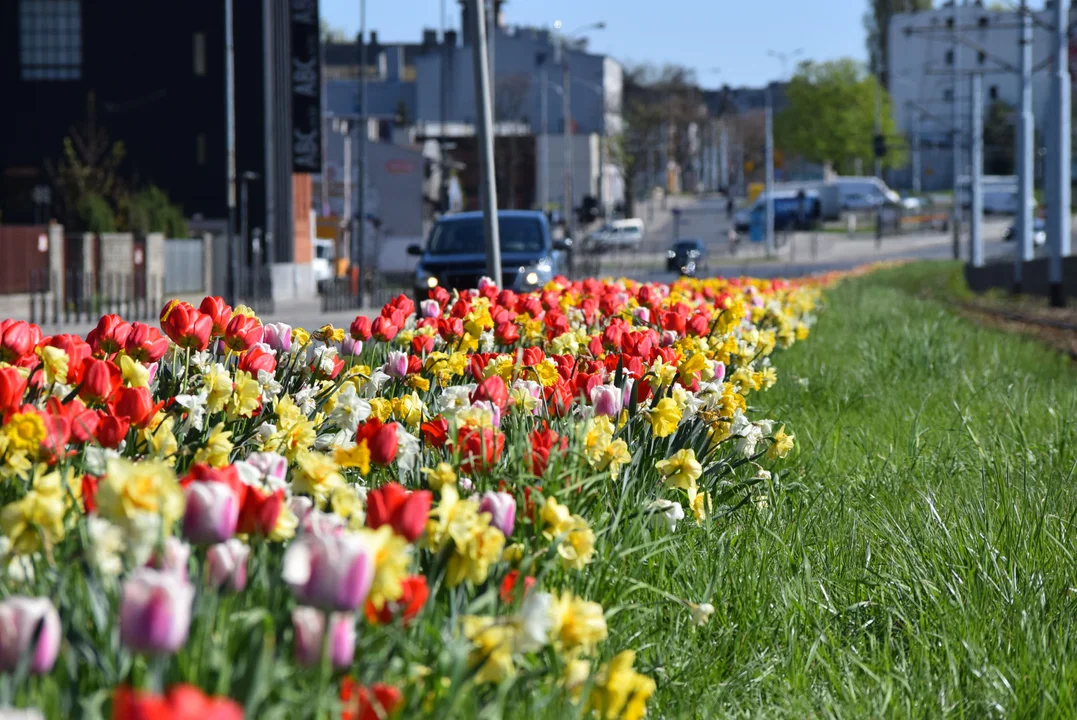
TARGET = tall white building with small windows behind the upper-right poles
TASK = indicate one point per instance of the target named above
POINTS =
(922, 60)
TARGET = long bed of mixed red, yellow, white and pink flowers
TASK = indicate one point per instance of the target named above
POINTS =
(398, 518)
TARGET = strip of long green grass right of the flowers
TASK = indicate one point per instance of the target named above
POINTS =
(917, 557)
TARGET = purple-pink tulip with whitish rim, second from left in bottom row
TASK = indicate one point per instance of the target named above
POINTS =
(156, 612)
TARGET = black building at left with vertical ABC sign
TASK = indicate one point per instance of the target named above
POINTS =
(153, 76)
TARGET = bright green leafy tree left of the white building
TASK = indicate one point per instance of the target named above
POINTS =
(830, 117)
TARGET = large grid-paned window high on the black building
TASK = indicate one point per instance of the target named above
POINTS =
(50, 39)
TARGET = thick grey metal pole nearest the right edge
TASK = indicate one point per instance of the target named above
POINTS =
(1059, 150)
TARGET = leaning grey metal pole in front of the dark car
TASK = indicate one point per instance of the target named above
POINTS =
(485, 116)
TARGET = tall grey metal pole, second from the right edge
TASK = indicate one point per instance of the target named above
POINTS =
(1026, 150)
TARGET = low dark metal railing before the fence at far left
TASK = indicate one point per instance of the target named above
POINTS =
(74, 298)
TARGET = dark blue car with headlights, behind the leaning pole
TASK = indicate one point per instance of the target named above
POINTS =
(455, 257)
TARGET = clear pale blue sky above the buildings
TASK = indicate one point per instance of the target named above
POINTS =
(724, 41)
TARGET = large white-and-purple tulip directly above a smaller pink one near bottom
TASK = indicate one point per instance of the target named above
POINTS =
(332, 572)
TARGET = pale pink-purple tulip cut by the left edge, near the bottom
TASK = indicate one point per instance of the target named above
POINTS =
(20, 619)
